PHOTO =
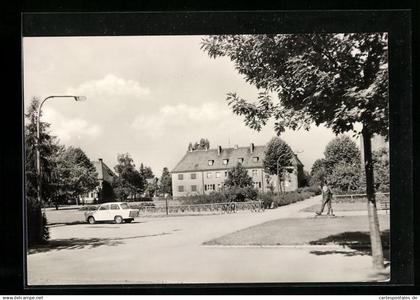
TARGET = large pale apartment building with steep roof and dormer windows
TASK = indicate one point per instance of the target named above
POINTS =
(204, 171)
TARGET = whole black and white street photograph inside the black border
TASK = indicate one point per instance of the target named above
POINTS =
(240, 158)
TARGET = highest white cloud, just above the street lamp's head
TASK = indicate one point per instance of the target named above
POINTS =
(110, 87)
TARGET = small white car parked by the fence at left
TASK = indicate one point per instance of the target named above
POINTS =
(112, 211)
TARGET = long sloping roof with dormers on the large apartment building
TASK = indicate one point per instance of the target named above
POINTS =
(198, 160)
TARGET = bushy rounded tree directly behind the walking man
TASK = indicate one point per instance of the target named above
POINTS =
(342, 164)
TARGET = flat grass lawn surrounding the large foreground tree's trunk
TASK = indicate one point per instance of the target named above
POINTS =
(347, 230)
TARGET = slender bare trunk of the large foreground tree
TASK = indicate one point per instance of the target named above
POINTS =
(375, 234)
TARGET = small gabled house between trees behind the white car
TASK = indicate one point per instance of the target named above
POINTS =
(103, 191)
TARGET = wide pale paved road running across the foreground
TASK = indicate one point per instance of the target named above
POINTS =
(170, 250)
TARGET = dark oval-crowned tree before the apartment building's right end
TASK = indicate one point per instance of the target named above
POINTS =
(277, 154)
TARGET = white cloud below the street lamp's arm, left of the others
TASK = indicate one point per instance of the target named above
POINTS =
(68, 129)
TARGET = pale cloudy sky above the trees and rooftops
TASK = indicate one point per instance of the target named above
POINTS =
(148, 96)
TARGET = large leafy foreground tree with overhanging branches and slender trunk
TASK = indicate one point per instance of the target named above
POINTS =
(338, 80)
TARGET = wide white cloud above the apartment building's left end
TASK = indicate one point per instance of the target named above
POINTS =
(181, 116)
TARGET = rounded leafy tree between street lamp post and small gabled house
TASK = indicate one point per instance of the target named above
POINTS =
(75, 174)
